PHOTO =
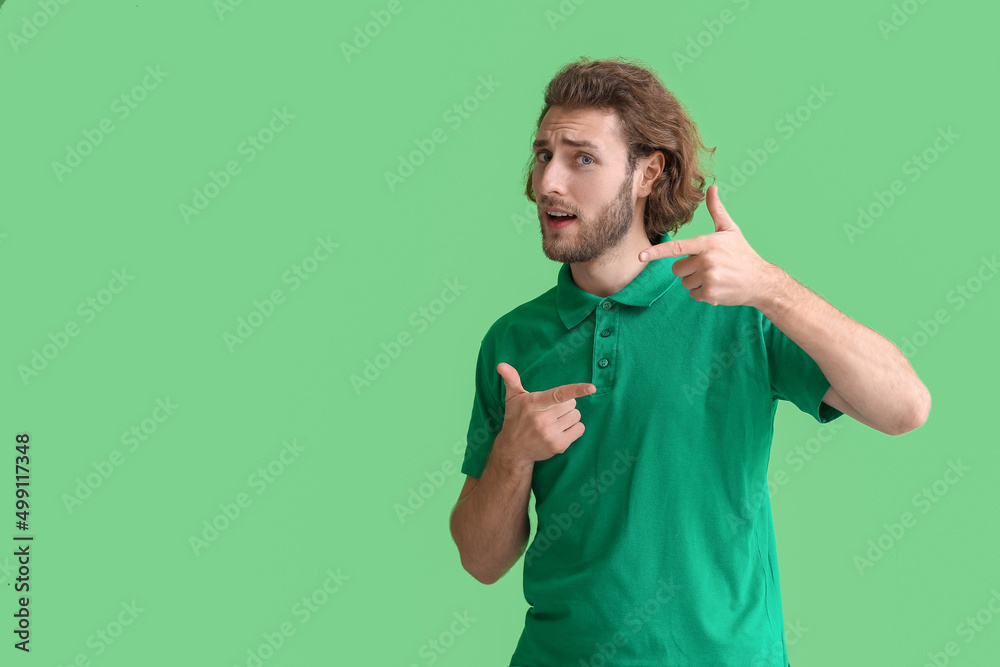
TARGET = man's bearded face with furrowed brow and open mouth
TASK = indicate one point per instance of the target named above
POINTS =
(592, 182)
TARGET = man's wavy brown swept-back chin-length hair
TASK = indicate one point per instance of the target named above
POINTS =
(649, 119)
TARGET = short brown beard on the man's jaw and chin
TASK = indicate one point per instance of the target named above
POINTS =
(595, 238)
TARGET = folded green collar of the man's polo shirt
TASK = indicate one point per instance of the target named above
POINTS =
(575, 304)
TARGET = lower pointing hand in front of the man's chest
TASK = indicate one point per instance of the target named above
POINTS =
(538, 425)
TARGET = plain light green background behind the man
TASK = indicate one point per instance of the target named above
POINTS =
(460, 216)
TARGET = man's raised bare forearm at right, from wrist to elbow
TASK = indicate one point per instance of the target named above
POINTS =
(865, 368)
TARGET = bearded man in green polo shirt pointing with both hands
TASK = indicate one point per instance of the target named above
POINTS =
(636, 398)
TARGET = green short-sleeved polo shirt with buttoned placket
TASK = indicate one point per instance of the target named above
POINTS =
(654, 541)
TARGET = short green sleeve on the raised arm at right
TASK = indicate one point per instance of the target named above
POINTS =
(794, 376)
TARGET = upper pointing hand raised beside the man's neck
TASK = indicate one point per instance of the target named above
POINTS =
(721, 268)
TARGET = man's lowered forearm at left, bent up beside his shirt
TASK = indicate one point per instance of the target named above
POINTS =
(490, 524)
